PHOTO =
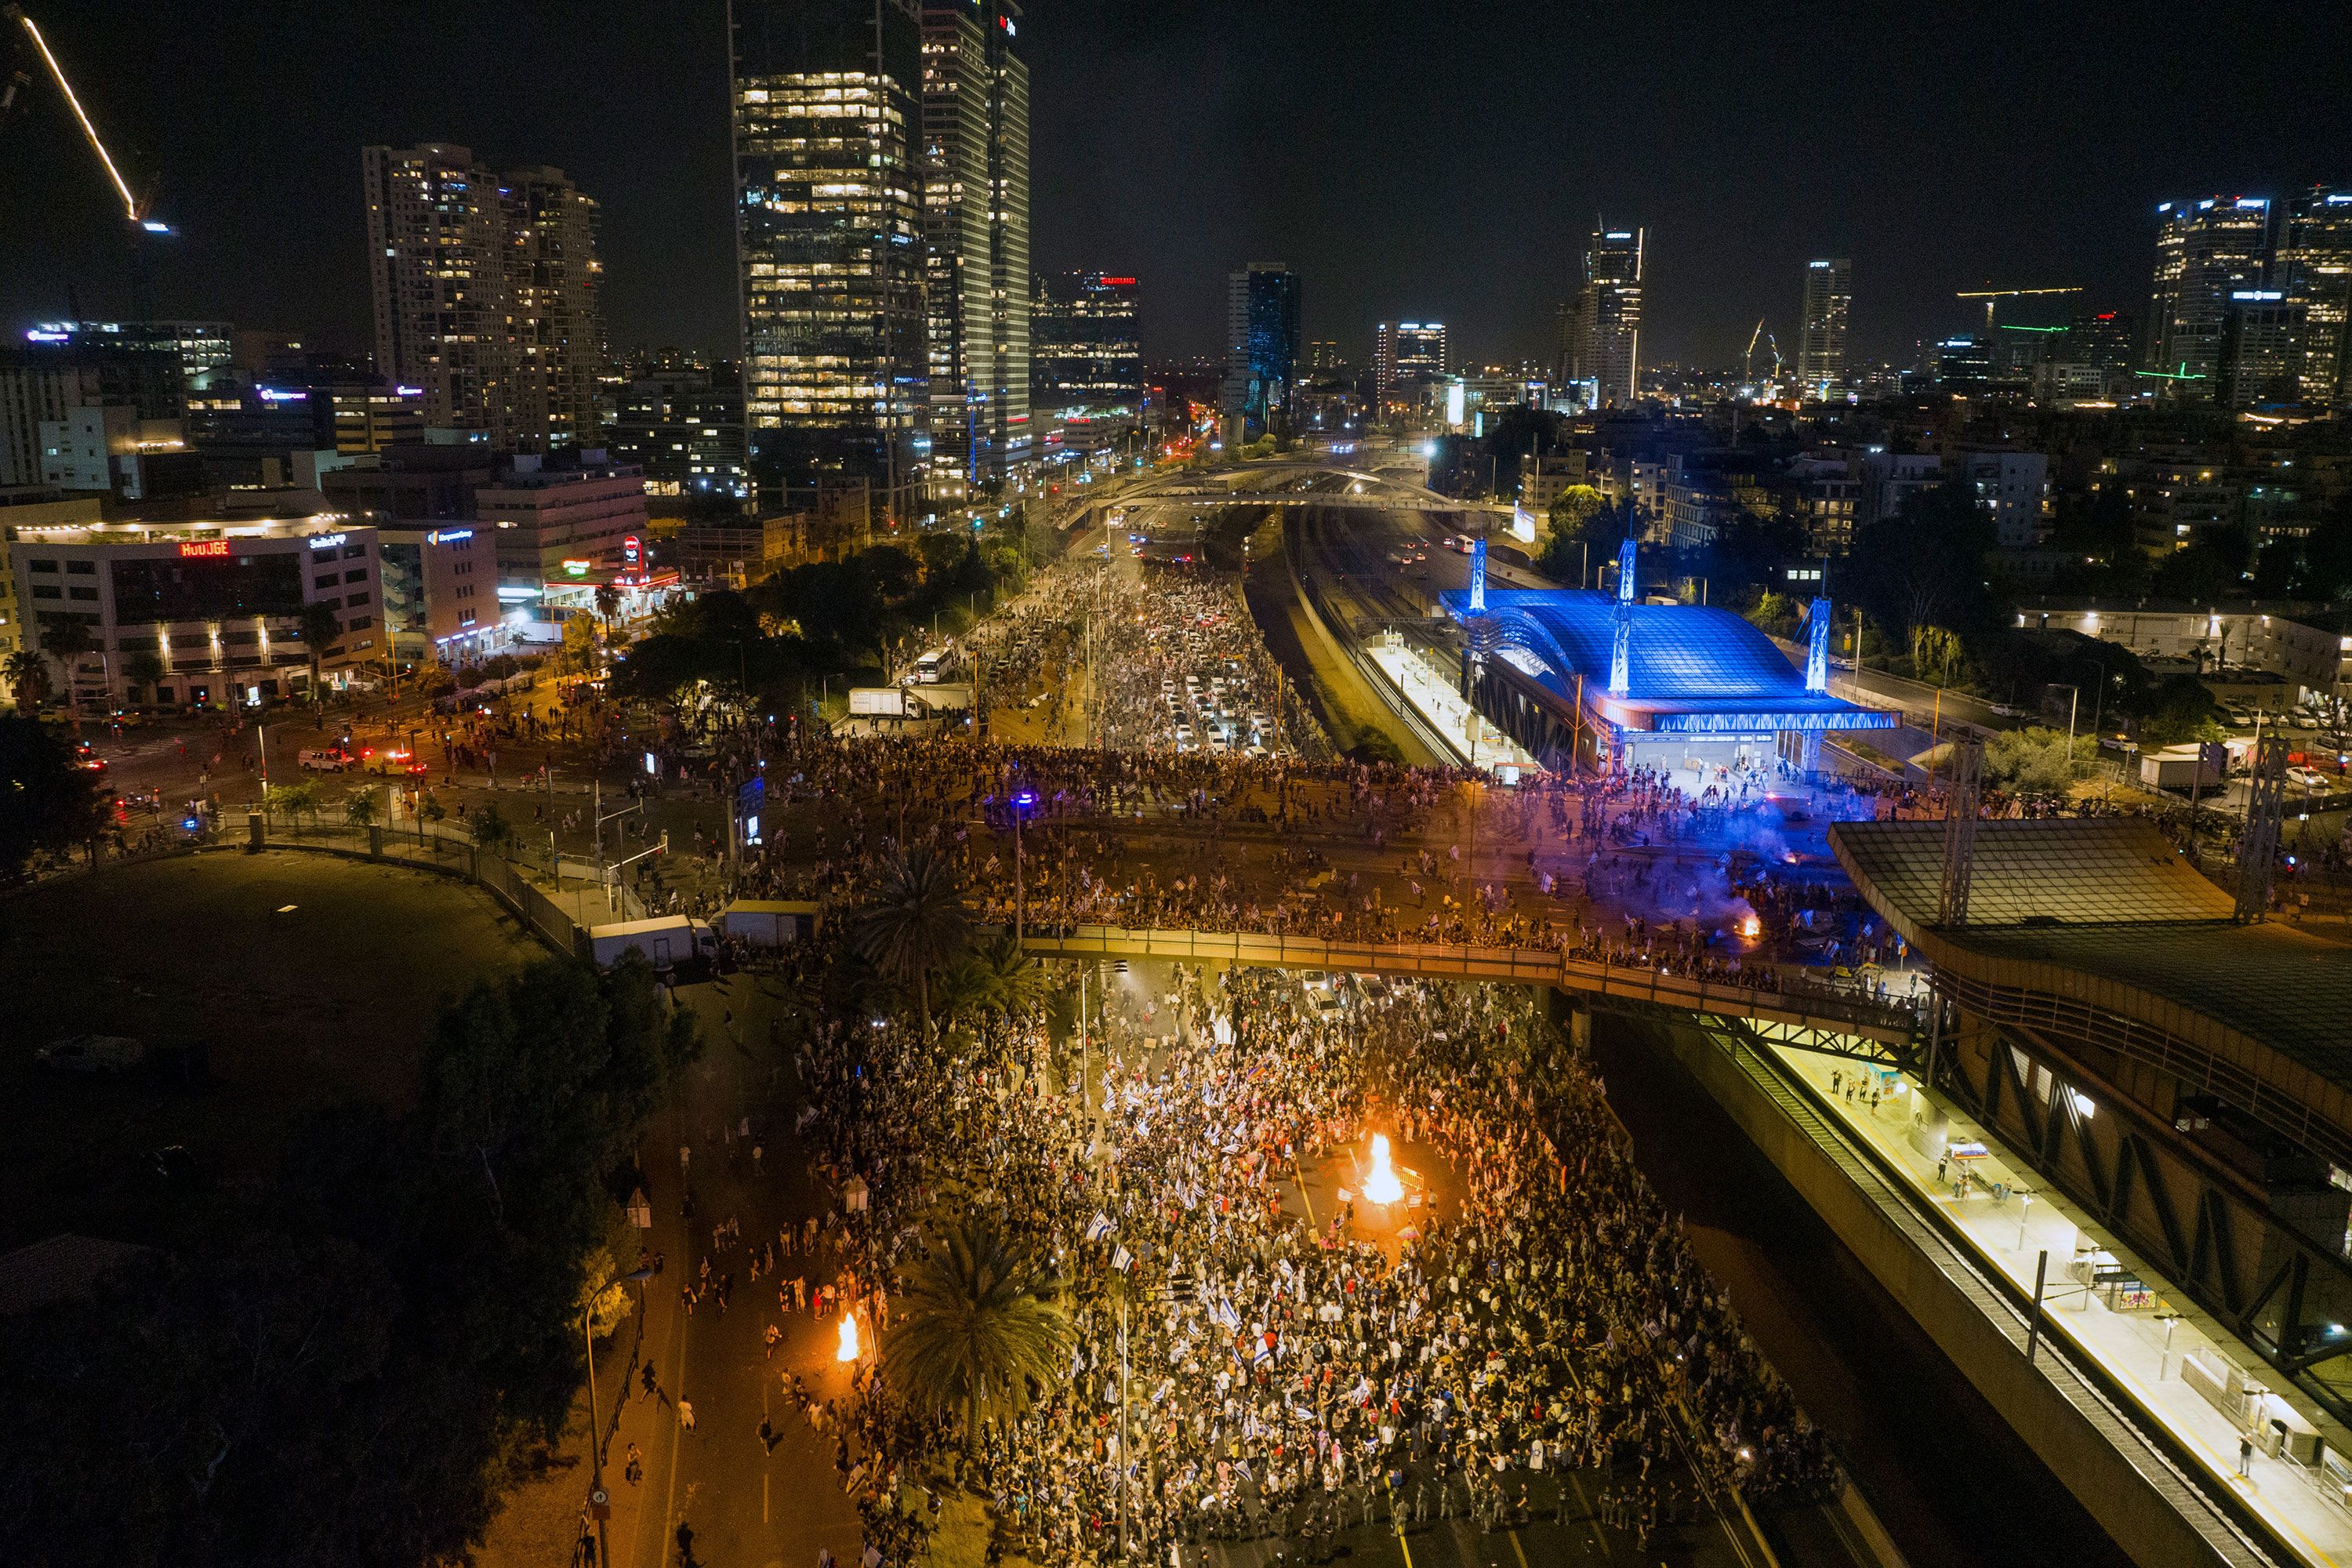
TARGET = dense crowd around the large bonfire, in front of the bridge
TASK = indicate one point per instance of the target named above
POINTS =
(1292, 1372)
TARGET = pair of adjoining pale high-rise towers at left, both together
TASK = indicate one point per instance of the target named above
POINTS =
(488, 293)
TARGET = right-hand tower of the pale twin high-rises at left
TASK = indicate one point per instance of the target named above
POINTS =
(554, 307)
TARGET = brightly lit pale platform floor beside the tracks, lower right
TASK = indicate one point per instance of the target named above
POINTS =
(2139, 1339)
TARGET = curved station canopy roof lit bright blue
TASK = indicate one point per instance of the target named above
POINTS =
(1690, 669)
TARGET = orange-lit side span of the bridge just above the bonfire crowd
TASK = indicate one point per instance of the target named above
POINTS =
(1796, 1017)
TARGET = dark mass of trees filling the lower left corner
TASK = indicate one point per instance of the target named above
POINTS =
(349, 1365)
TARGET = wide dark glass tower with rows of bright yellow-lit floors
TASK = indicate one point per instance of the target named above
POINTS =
(829, 239)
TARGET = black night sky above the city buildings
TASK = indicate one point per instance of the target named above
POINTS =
(1415, 161)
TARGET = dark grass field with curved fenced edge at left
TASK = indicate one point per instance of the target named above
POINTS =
(298, 1007)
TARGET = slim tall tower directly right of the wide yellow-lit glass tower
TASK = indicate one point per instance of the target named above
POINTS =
(977, 232)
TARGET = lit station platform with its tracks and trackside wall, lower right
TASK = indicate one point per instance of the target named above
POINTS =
(2104, 1402)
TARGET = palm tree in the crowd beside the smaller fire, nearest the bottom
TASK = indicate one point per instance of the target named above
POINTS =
(975, 1322)
